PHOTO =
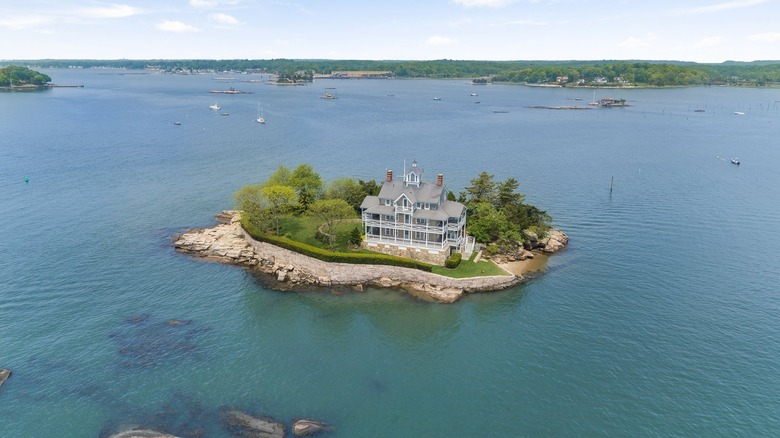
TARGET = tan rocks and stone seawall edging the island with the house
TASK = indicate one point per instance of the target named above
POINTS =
(228, 242)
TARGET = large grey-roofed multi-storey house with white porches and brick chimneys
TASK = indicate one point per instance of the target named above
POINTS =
(413, 218)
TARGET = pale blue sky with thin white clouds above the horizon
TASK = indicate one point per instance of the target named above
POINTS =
(707, 31)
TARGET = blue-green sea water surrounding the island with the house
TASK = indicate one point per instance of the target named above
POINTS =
(660, 319)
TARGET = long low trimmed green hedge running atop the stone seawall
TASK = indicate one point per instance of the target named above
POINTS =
(330, 256)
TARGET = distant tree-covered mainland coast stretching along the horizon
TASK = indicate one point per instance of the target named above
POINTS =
(606, 73)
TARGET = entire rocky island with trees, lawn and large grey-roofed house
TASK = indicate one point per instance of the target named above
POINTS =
(406, 233)
